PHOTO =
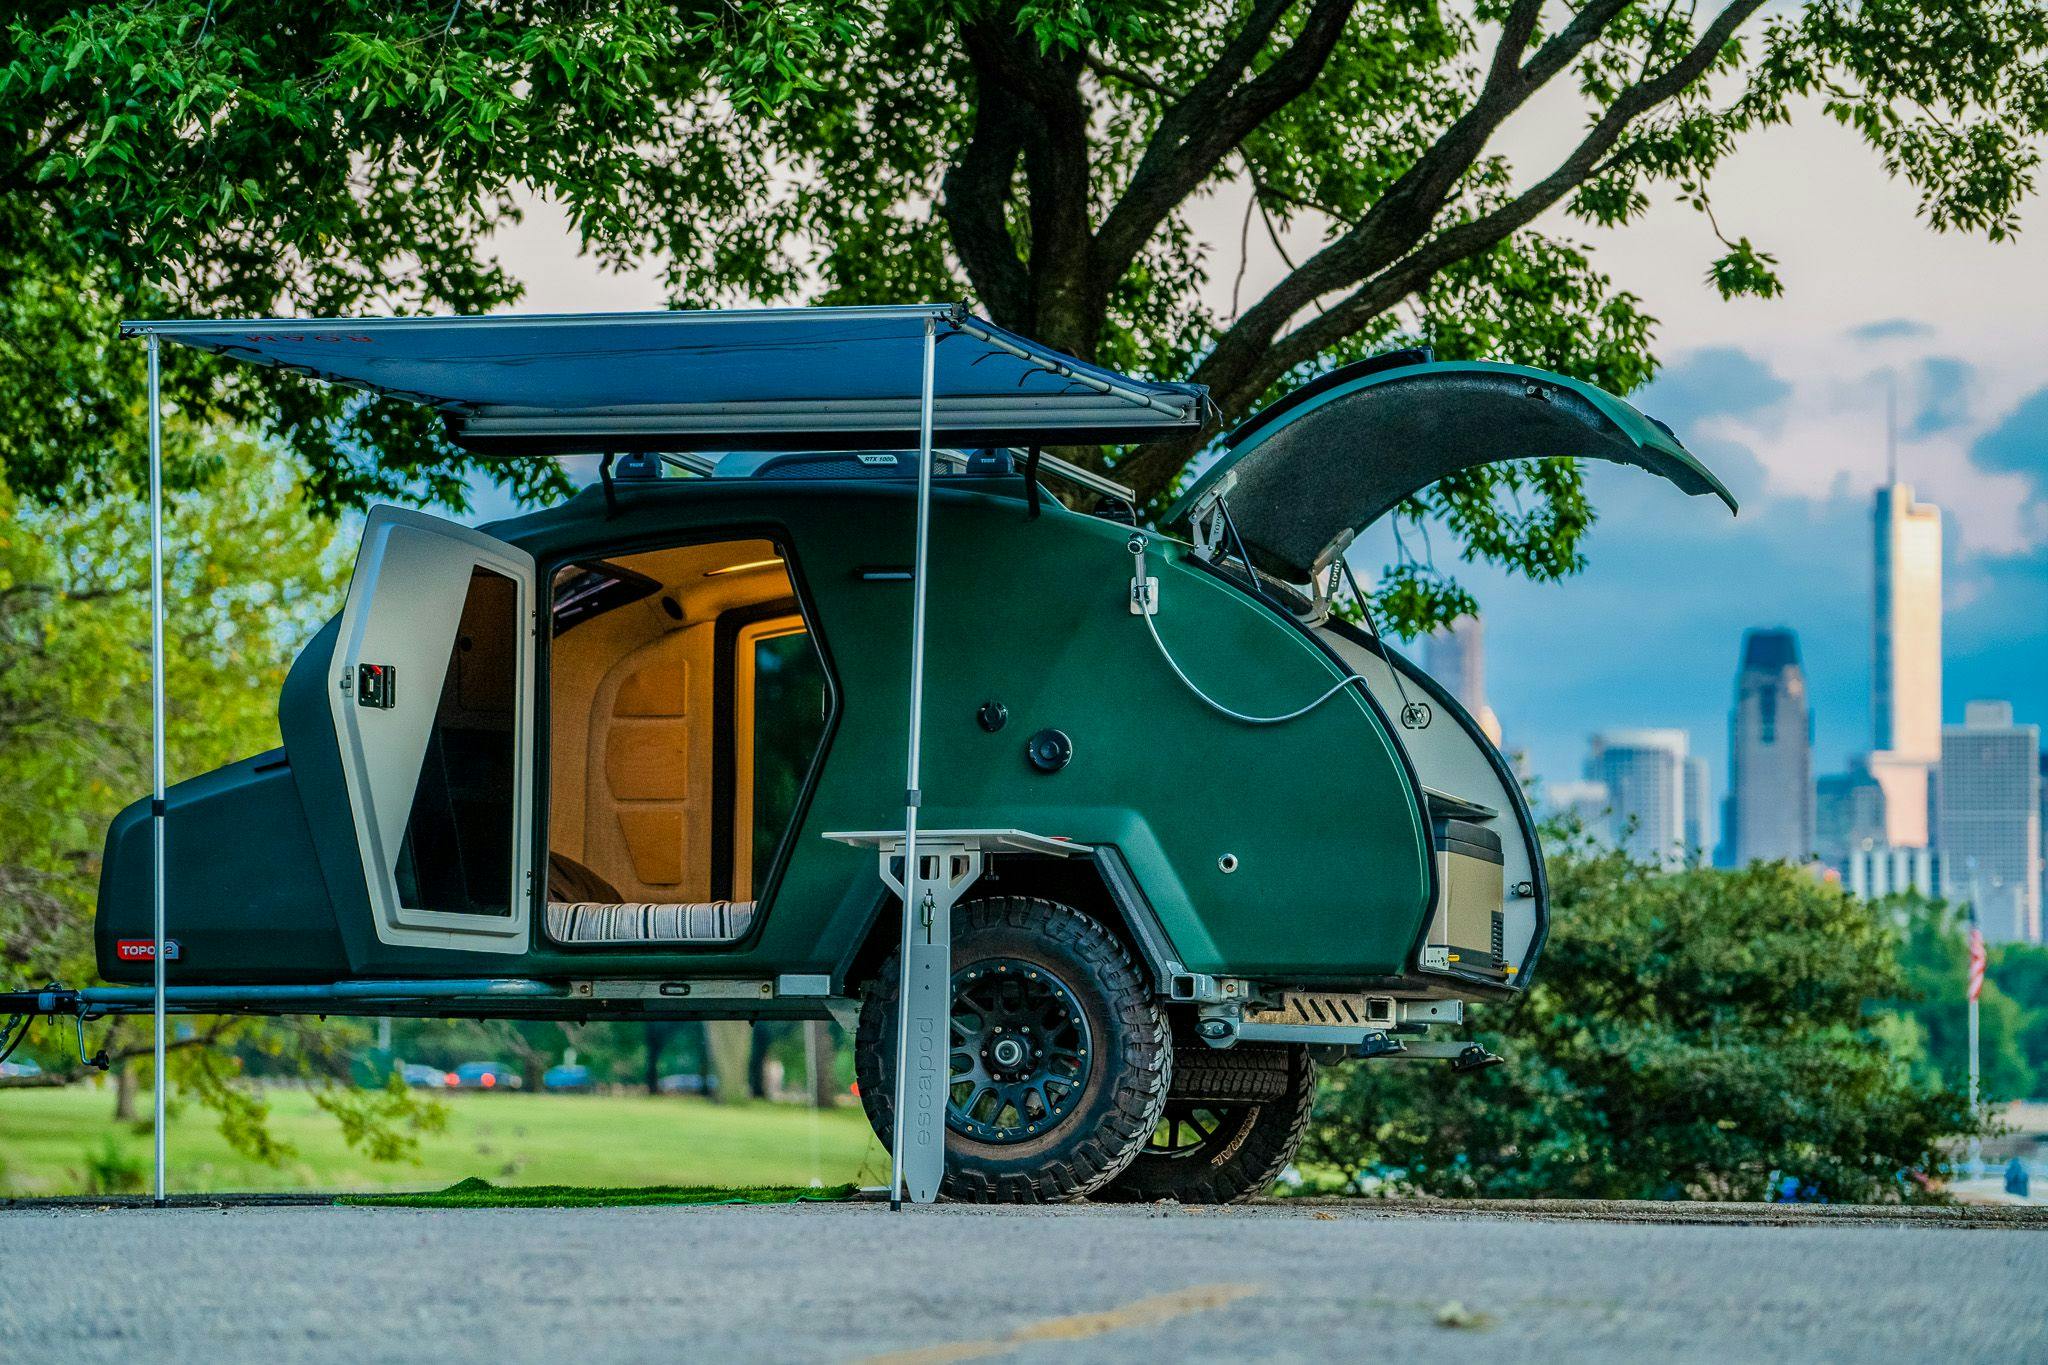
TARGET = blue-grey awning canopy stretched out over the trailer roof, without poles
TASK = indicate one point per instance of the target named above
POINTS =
(732, 380)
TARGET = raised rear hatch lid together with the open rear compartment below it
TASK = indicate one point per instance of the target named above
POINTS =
(1302, 480)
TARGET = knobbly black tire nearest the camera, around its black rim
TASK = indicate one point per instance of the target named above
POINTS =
(1123, 1096)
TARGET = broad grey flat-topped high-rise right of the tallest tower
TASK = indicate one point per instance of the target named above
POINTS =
(1992, 822)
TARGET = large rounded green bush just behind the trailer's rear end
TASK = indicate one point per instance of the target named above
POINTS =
(1689, 1037)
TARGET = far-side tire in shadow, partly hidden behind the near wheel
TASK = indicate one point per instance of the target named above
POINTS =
(1258, 1096)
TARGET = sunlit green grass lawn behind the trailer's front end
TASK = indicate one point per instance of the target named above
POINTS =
(48, 1141)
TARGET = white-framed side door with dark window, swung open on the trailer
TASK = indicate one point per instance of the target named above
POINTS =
(433, 711)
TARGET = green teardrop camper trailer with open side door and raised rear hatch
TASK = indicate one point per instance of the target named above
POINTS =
(640, 756)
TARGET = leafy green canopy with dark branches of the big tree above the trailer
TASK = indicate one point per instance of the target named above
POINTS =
(224, 157)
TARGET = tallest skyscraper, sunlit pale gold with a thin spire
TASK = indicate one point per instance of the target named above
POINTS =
(1906, 660)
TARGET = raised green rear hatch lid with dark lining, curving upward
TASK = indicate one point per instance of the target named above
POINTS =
(1312, 472)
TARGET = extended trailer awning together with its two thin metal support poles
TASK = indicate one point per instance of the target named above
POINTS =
(765, 380)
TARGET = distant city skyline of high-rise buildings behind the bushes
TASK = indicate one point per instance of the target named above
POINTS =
(1963, 818)
